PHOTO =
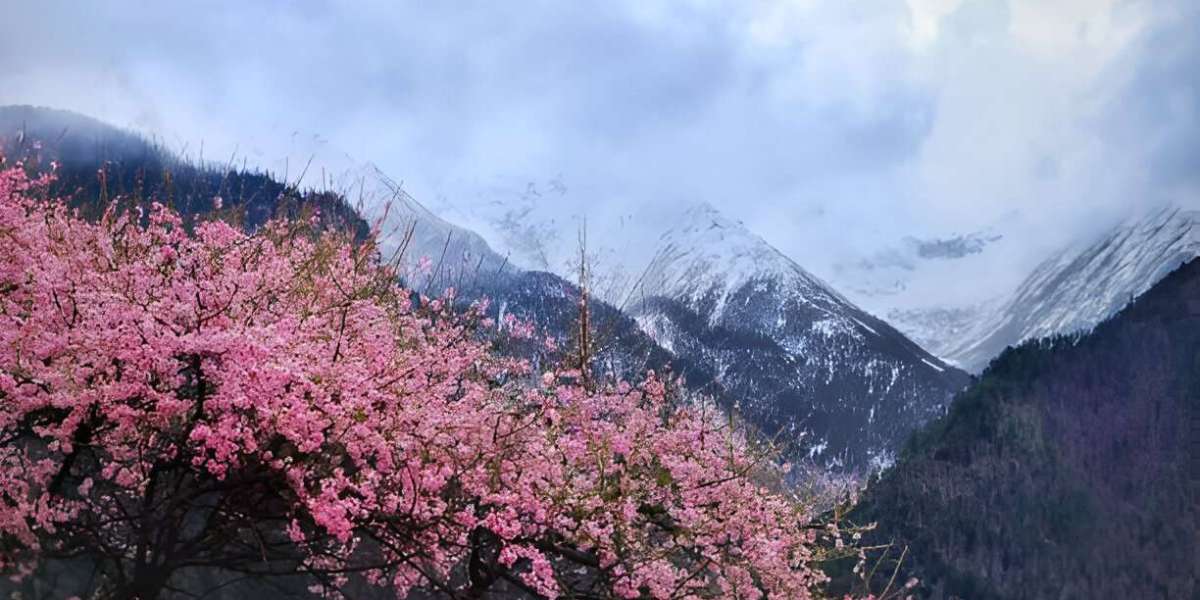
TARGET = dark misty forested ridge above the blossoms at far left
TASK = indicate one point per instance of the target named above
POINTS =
(99, 163)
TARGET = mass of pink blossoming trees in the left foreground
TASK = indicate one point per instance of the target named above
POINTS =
(277, 404)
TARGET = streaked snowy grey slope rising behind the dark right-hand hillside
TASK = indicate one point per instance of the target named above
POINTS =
(1073, 291)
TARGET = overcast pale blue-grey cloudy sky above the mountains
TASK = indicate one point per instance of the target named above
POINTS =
(835, 129)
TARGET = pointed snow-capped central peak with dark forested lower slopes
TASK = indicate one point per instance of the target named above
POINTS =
(799, 356)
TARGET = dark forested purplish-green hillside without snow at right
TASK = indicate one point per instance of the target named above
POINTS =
(1070, 470)
